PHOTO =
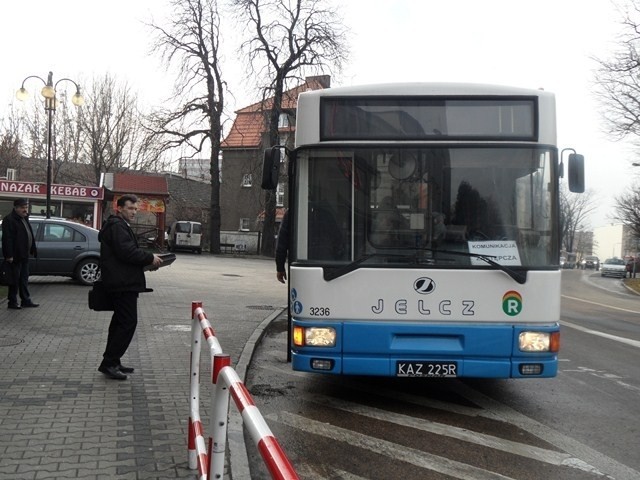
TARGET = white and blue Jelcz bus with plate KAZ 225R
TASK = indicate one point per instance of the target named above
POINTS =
(424, 231)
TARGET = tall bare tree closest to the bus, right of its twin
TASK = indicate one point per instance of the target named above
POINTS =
(288, 39)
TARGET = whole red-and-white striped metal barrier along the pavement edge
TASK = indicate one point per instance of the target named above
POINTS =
(210, 460)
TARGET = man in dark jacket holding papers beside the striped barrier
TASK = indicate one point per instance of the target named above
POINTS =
(122, 264)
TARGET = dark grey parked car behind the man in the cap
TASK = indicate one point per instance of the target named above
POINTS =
(66, 249)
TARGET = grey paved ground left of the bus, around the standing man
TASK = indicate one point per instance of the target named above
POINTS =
(61, 419)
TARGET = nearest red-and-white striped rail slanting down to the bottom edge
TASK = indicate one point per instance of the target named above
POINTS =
(272, 454)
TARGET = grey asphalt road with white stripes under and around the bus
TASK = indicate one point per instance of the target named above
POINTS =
(582, 424)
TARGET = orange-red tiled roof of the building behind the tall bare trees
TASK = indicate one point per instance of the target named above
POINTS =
(250, 123)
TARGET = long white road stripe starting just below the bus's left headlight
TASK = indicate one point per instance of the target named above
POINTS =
(528, 451)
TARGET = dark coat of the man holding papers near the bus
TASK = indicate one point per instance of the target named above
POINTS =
(122, 261)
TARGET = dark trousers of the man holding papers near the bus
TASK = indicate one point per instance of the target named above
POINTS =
(122, 327)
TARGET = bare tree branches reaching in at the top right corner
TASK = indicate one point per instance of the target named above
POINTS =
(618, 77)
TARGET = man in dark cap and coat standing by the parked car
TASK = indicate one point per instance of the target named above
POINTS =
(18, 242)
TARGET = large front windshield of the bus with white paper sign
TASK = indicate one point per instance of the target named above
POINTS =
(445, 207)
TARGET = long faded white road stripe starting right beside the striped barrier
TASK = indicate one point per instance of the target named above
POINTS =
(415, 457)
